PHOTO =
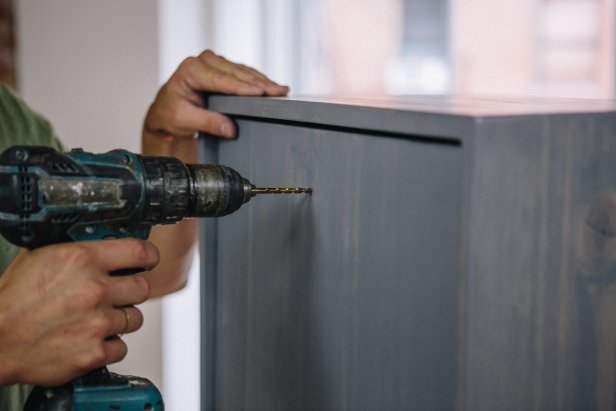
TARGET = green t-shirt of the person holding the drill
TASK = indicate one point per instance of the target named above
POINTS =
(19, 125)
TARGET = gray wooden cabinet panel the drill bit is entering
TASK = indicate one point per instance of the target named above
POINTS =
(345, 299)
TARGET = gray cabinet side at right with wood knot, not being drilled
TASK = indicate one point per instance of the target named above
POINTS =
(541, 329)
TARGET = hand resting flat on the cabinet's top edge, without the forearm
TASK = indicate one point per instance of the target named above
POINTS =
(178, 109)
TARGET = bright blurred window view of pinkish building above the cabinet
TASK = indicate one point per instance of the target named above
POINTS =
(512, 47)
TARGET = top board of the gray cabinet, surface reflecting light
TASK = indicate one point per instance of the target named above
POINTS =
(430, 115)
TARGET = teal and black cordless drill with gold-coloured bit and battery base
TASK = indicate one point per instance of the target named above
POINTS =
(49, 197)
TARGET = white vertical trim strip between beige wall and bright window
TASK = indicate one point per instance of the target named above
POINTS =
(183, 31)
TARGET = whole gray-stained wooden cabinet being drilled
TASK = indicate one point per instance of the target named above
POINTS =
(455, 254)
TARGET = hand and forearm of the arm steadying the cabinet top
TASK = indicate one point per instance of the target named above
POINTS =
(169, 129)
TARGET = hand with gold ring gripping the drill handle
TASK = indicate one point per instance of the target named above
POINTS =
(61, 311)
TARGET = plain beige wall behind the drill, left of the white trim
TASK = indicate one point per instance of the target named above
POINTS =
(91, 67)
